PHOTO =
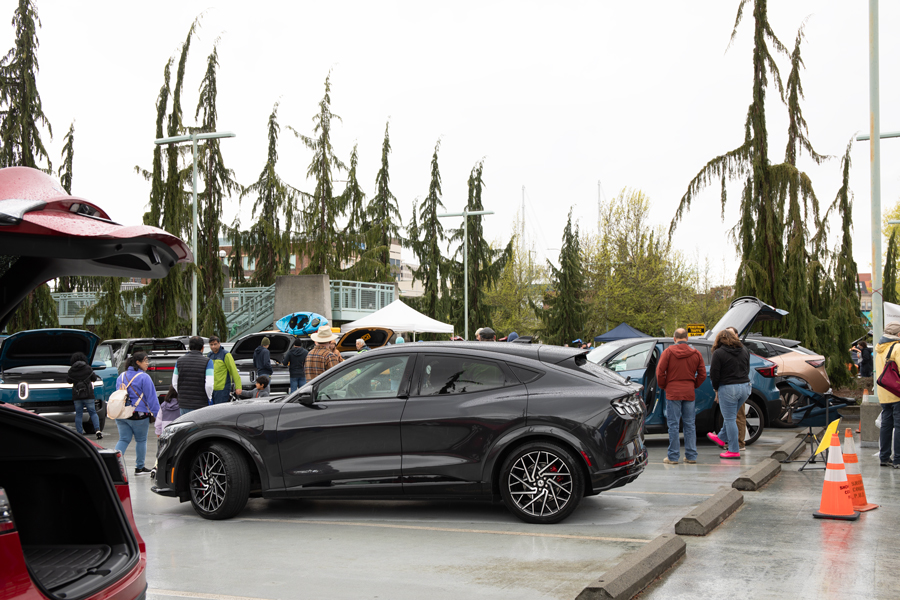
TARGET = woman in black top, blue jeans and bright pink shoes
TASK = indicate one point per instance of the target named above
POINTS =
(730, 374)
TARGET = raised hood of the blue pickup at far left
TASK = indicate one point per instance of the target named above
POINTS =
(41, 347)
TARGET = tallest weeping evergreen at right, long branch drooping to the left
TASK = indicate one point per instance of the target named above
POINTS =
(759, 232)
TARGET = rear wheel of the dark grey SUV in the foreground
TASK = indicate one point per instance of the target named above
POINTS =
(529, 490)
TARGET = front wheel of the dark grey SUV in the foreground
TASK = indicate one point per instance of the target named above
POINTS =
(219, 482)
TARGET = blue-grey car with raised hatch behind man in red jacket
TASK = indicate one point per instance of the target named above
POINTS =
(637, 358)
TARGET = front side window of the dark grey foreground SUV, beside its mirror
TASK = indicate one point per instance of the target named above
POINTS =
(376, 378)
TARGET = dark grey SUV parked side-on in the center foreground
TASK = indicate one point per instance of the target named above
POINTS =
(538, 427)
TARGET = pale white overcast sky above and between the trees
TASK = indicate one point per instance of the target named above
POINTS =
(554, 96)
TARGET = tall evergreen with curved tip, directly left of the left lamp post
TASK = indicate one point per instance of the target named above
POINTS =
(167, 300)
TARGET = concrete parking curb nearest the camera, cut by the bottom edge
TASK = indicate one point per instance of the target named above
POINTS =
(637, 570)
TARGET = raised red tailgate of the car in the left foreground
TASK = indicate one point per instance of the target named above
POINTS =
(45, 233)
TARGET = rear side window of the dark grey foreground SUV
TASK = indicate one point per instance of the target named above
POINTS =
(442, 375)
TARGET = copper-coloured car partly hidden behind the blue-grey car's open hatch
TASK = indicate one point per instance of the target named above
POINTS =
(792, 363)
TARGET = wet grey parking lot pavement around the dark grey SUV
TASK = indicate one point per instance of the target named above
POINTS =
(286, 549)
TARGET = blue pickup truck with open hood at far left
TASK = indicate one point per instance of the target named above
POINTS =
(33, 371)
